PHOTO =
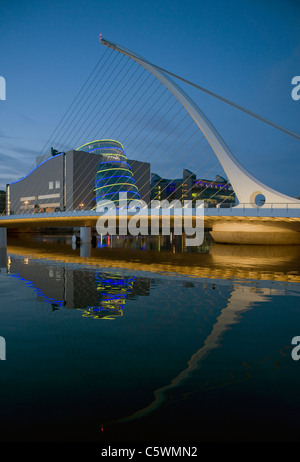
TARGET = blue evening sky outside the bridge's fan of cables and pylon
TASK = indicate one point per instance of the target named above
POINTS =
(245, 51)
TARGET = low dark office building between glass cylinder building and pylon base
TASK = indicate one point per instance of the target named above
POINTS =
(213, 192)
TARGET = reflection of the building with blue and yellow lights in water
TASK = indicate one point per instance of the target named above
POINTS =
(101, 295)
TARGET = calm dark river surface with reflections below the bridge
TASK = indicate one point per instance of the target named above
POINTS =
(140, 340)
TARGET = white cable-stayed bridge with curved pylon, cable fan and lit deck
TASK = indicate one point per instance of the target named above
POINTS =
(143, 122)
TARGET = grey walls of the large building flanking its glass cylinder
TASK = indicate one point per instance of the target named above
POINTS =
(66, 182)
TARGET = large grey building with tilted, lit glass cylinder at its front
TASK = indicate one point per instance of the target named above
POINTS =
(69, 181)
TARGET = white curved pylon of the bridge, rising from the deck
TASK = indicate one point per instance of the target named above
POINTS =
(246, 186)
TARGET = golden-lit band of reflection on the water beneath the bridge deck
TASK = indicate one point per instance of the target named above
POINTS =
(162, 254)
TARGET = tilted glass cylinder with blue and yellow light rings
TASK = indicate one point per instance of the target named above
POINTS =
(114, 175)
